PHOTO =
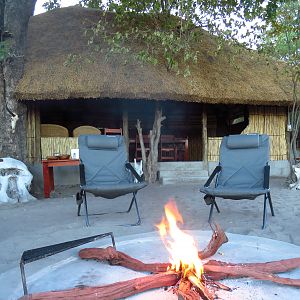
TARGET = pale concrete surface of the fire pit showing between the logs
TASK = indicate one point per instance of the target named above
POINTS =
(71, 271)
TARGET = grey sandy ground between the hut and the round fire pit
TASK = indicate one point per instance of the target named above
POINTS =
(48, 221)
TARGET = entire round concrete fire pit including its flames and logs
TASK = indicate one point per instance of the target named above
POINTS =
(72, 272)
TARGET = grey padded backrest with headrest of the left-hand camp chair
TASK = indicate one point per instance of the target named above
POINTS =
(104, 158)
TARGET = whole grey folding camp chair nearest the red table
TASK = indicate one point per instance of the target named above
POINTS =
(105, 172)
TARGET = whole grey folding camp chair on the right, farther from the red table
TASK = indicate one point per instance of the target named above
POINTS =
(243, 172)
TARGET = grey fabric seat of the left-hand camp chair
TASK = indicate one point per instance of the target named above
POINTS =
(111, 191)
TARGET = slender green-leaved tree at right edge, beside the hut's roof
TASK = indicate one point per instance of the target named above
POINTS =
(282, 41)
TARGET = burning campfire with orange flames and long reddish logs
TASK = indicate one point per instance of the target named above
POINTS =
(188, 274)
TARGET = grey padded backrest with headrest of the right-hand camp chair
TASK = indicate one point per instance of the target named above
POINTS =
(243, 158)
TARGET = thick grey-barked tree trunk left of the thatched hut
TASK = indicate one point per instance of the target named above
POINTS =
(15, 17)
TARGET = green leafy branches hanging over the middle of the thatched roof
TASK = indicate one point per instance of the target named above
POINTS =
(160, 36)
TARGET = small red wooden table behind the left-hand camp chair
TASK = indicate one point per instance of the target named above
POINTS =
(48, 172)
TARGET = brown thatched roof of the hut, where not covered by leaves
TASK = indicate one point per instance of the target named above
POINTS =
(54, 35)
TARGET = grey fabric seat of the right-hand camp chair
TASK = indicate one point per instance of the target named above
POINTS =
(234, 193)
